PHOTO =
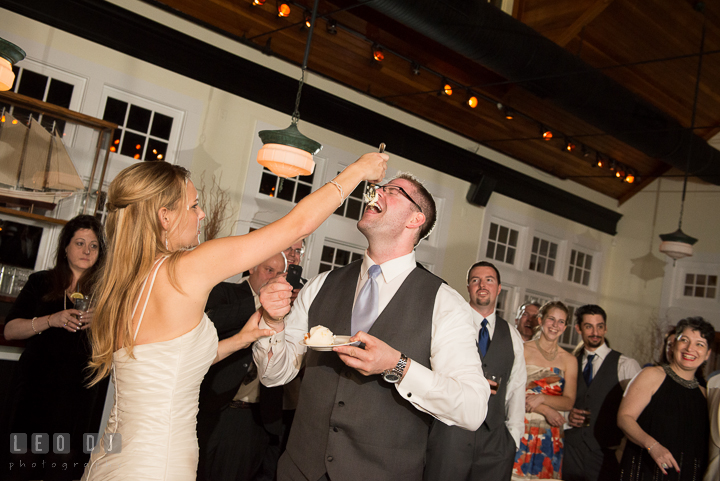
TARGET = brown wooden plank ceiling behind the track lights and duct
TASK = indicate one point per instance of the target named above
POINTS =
(649, 46)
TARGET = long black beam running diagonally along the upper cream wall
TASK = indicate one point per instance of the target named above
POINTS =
(116, 28)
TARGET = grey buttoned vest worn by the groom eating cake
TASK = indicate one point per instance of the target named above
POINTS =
(357, 427)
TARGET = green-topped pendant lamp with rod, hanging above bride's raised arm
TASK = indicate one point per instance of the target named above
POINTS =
(287, 152)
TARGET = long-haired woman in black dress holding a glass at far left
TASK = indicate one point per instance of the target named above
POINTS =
(50, 394)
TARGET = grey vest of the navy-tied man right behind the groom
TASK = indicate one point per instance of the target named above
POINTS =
(499, 361)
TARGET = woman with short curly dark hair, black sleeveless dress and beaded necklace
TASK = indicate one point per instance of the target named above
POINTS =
(664, 412)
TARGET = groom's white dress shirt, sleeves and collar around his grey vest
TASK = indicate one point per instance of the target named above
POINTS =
(453, 391)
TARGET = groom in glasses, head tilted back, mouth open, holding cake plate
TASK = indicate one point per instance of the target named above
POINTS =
(365, 410)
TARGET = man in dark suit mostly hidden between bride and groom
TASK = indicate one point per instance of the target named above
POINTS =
(234, 433)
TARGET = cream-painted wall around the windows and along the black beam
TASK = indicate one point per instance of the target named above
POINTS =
(219, 132)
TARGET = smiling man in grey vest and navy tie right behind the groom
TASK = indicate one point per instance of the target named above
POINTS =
(488, 453)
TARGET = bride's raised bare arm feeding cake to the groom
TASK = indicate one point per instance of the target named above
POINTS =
(219, 259)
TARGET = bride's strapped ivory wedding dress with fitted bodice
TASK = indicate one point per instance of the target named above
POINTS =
(156, 403)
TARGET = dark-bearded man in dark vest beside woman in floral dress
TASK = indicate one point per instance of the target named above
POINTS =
(590, 446)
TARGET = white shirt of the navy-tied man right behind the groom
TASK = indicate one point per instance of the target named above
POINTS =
(515, 393)
